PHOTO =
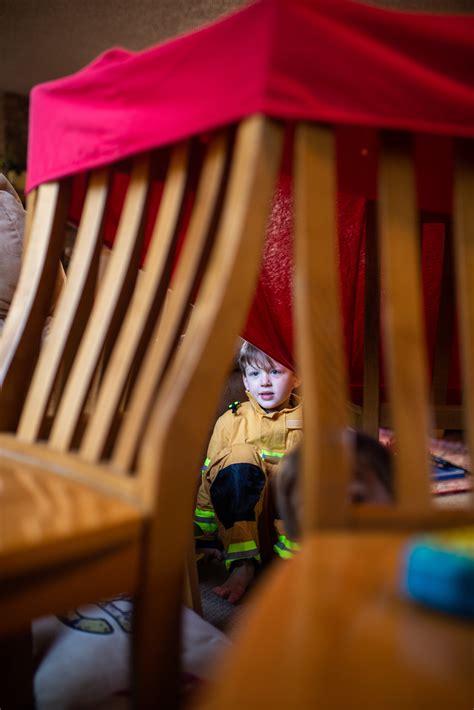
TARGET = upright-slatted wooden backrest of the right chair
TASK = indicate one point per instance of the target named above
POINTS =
(327, 464)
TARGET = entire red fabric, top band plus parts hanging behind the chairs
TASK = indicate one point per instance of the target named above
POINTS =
(358, 67)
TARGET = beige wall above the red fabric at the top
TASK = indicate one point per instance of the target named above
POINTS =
(44, 39)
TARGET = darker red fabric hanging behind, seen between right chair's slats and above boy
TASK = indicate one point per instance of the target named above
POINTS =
(269, 325)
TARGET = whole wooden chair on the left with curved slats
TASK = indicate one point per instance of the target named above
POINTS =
(97, 498)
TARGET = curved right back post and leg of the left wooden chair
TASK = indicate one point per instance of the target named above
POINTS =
(179, 424)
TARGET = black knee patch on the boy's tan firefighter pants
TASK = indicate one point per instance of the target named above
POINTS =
(235, 492)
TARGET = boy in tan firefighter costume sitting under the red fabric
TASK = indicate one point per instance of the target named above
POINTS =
(234, 501)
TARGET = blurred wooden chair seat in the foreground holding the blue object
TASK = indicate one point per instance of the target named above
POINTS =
(343, 636)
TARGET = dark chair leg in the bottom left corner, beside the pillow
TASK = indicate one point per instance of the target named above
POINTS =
(16, 672)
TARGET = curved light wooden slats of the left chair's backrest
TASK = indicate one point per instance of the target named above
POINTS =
(106, 327)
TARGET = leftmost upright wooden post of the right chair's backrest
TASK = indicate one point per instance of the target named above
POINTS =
(320, 345)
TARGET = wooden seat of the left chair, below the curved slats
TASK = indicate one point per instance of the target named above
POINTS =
(67, 529)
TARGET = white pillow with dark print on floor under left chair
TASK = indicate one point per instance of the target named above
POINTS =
(83, 657)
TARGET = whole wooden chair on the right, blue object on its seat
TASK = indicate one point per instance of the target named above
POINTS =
(330, 629)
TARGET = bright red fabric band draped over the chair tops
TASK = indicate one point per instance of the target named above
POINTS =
(327, 60)
